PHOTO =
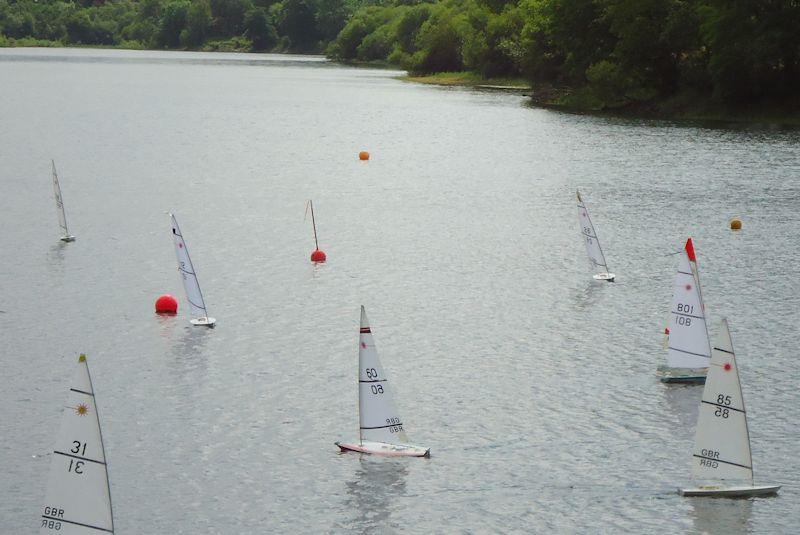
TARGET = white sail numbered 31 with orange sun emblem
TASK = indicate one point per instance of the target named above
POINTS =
(78, 500)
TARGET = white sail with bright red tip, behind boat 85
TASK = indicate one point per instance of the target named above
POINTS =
(689, 345)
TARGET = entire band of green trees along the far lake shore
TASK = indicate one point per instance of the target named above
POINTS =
(639, 55)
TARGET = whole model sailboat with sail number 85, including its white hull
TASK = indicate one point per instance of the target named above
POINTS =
(721, 457)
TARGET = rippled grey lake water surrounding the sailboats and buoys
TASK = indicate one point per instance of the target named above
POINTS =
(533, 385)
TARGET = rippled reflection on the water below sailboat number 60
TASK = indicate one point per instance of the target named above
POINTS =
(372, 491)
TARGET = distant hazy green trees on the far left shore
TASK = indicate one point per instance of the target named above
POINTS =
(246, 25)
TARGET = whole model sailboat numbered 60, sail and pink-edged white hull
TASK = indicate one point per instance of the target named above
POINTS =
(381, 428)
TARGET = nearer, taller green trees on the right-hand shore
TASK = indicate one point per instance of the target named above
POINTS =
(612, 52)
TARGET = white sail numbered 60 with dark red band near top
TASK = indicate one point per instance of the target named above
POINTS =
(378, 416)
